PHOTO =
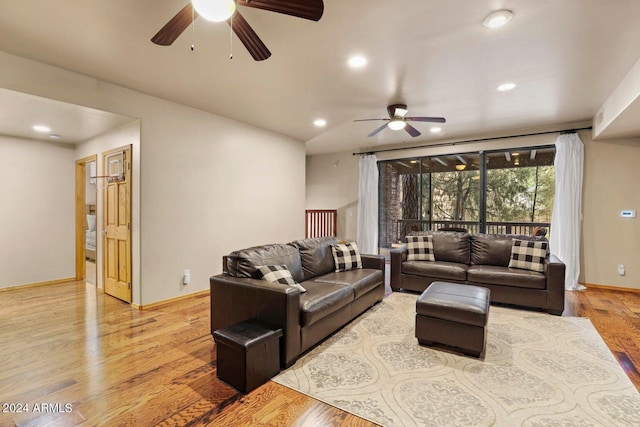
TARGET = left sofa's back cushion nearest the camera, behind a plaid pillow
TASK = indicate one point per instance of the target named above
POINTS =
(245, 262)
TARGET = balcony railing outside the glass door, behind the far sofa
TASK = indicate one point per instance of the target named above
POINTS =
(405, 226)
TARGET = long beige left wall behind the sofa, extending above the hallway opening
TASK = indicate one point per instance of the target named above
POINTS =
(208, 185)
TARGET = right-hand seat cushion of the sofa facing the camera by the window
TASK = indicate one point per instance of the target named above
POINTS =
(494, 275)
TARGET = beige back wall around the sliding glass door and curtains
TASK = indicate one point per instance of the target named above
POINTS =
(611, 177)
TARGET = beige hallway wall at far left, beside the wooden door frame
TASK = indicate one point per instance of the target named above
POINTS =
(37, 211)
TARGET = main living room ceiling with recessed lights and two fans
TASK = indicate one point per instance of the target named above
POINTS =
(565, 56)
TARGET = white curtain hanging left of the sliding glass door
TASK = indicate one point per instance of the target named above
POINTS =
(368, 205)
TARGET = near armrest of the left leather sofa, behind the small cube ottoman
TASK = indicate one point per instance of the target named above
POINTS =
(235, 299)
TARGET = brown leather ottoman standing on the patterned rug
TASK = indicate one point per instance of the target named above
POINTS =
(454, 315)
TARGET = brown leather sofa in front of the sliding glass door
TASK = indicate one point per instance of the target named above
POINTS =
(482, 260)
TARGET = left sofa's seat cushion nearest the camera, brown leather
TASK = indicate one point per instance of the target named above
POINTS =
(322, 299)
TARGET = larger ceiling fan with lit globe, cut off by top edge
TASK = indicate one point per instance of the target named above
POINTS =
(225, 10)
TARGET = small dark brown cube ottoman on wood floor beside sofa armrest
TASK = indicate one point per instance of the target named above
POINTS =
(248, 354)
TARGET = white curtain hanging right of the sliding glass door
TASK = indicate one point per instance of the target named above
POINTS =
(566, 219)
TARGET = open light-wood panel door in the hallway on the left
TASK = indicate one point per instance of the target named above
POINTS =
(117, 224)
